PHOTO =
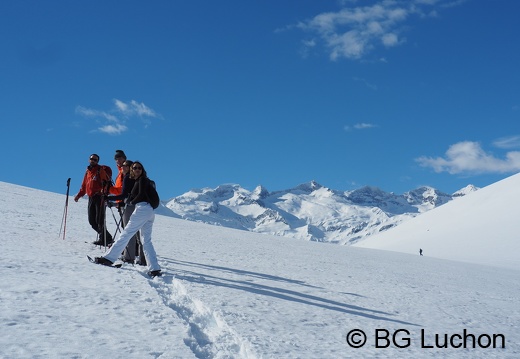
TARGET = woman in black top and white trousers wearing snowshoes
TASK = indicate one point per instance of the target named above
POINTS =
(141, 219)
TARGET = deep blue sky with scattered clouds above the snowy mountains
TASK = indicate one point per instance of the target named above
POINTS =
(392, 94)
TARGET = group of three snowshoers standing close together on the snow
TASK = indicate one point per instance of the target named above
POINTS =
(129, 193)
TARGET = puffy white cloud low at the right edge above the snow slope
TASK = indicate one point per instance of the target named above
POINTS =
(469, 158)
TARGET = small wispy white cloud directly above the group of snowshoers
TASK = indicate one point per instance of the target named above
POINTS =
(114, 121)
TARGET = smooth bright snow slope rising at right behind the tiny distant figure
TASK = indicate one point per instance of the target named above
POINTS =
(482, 227)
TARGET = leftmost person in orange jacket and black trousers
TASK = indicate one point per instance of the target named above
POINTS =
(95, 185)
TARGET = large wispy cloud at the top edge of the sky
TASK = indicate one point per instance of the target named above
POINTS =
(352, 32)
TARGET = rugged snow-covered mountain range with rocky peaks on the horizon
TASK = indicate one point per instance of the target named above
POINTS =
(309, 211)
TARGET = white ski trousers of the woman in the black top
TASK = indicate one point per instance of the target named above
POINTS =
(142, 219)
